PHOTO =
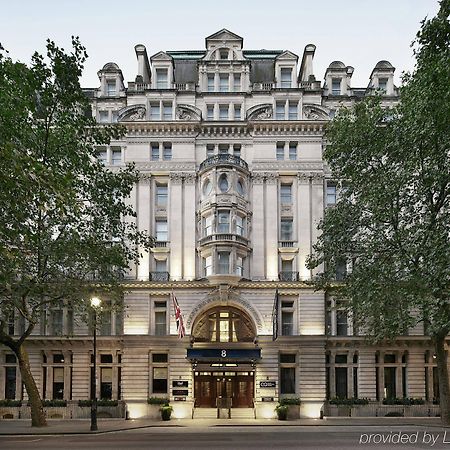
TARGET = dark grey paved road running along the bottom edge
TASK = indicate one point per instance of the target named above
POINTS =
(236, 438)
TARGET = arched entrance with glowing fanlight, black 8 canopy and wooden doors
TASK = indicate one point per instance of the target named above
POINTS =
(224, 370)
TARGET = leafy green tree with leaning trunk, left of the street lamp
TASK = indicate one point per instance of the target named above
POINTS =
(66, 229)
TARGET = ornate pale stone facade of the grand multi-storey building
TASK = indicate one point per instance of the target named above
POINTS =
(229, 143)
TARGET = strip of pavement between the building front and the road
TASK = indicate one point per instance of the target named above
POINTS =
(82, 426)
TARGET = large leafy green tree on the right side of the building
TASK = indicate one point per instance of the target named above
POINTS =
(392, 222)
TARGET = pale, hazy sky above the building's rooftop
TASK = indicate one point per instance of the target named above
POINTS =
(358, 32)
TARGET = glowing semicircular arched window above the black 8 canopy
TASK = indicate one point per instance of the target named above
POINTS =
(224, 324)
